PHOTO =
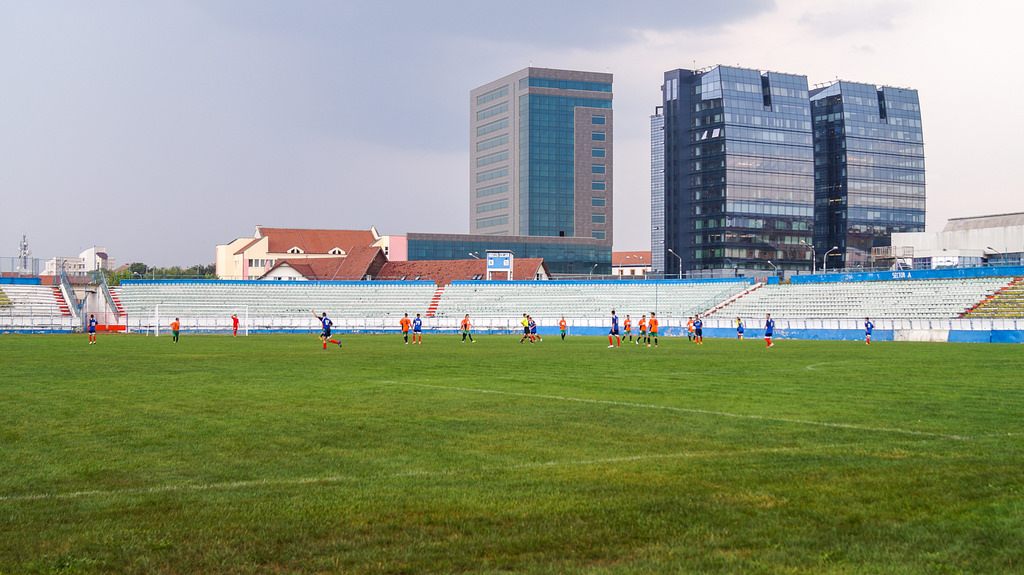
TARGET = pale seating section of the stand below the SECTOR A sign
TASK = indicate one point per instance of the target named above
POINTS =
(932, 299)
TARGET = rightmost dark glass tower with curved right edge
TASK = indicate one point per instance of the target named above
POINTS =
(870, 169)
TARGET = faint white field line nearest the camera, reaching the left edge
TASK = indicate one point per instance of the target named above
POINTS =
(335, 479)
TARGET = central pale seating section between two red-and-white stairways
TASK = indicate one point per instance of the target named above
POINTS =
(584, 299)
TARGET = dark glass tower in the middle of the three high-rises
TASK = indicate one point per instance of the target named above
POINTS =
(739, 189)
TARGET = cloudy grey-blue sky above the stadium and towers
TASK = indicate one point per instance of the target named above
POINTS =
(160, 129)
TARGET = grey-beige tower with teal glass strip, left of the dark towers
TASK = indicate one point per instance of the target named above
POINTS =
(541, 155)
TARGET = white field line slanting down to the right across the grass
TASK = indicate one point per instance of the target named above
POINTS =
(833, 425)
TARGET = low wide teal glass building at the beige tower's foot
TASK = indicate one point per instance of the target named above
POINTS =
(563, 256)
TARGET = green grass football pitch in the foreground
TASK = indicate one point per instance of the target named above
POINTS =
(266, 455)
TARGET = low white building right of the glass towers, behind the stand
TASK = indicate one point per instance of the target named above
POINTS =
(964, 242)
